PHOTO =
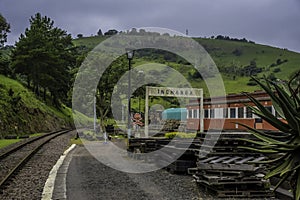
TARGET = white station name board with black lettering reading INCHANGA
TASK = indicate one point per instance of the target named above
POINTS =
(174, 92)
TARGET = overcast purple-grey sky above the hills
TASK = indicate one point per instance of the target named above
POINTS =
(271, 22)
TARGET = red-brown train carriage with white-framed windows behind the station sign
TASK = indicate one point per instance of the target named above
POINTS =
(223, 113)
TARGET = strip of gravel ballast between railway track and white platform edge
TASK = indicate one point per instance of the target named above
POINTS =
(29, 182)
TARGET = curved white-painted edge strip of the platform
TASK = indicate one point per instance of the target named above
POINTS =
(50, 183)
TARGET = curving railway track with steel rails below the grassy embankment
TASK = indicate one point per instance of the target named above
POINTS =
(14, 159)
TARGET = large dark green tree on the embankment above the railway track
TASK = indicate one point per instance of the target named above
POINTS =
(43, 55)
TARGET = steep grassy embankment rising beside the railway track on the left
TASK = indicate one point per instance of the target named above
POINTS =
(21, 113)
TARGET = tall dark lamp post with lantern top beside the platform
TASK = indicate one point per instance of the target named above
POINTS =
(130, 54)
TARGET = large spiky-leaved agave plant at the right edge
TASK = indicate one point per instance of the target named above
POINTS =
(283, 149)
